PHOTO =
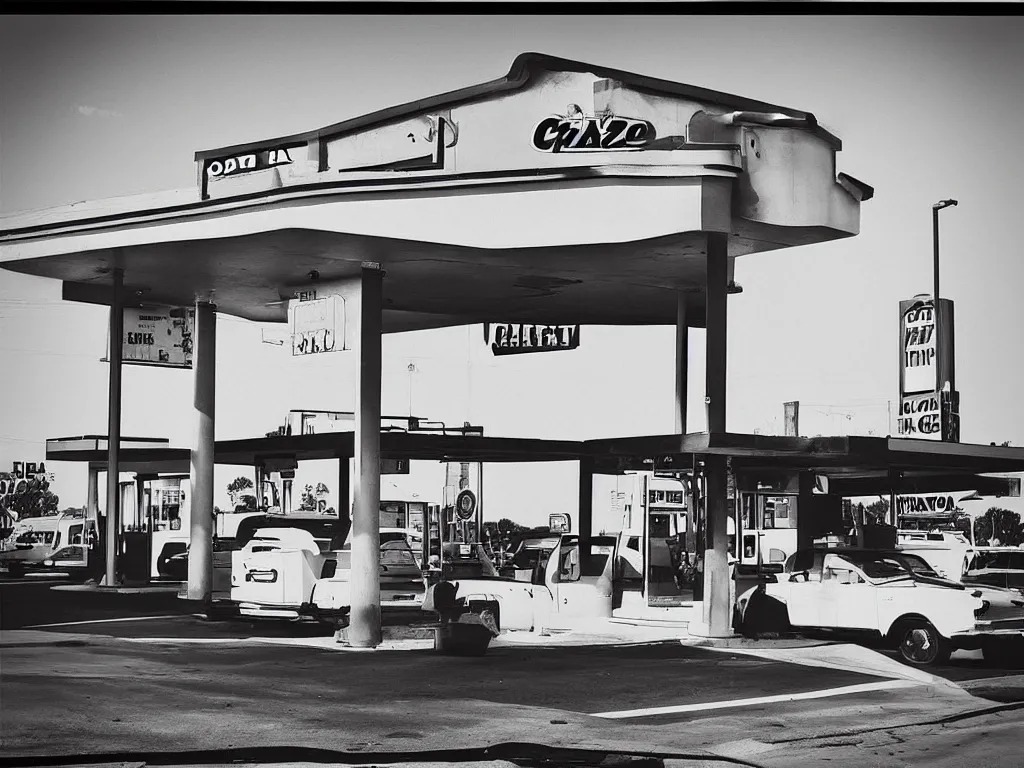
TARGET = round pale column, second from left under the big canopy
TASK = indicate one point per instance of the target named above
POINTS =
(201, 472)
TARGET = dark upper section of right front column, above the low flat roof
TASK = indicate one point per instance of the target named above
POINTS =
(717, 317)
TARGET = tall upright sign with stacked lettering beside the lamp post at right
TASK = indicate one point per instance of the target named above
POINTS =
(929, 401)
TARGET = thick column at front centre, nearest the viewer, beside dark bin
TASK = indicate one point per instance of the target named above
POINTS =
(365, 627)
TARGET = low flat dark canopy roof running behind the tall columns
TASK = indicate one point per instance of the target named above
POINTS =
(850, 465)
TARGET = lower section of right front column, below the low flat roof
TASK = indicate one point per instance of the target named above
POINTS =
(717, 618)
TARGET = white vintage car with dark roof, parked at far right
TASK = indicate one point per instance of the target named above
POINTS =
(886, 595)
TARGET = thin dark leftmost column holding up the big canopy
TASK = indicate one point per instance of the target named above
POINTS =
(114, 431)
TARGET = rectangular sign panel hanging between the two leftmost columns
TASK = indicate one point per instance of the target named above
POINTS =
(159, 336)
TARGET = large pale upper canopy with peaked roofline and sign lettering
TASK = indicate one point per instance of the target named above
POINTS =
(563, 193)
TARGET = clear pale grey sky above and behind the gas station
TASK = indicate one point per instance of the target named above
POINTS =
(108, 106)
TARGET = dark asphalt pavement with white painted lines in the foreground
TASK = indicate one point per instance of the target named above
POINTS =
(95, 673)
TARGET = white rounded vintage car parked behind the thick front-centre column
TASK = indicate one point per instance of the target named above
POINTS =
(290, 574)
